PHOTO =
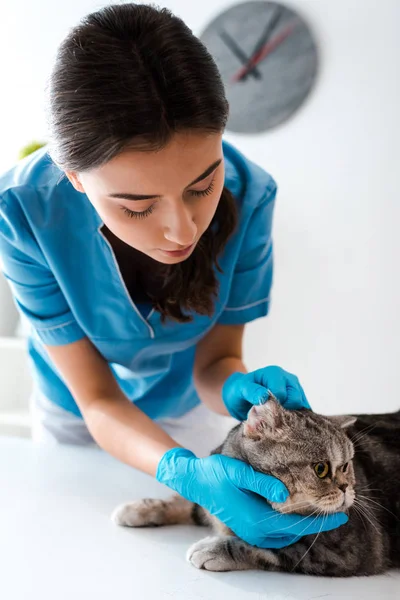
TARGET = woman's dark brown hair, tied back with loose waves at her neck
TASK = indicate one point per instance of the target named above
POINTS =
(129, 77)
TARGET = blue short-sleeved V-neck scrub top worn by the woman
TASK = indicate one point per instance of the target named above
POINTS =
(66, 282)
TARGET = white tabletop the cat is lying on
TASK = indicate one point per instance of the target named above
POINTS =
(57, 541)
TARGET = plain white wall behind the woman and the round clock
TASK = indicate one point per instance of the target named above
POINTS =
(334, 319)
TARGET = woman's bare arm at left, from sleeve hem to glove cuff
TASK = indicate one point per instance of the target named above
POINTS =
(117, 425)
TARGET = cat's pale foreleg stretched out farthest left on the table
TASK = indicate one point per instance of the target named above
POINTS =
(152, 512)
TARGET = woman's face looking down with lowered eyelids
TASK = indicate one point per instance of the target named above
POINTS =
(174, 194)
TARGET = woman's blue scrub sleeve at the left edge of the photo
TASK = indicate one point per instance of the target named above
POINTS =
(34, 287)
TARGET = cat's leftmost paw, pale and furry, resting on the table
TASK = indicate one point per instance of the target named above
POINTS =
(141, 513)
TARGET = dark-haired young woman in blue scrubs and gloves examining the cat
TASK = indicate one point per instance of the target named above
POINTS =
(137, 245)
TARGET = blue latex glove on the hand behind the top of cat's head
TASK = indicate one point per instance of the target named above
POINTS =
(241, 390)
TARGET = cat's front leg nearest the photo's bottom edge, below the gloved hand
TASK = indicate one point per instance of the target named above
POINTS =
(230, 553)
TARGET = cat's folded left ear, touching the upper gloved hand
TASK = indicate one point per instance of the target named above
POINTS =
(265, 420)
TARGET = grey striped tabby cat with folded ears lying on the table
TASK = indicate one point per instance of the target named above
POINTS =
(303, 449)
